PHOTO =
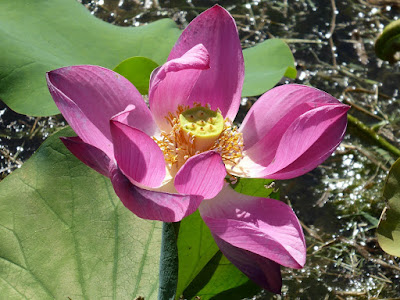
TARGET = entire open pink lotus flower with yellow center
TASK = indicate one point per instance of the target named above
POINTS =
(167, 161)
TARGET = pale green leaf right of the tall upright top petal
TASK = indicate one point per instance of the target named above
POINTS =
(265, 65)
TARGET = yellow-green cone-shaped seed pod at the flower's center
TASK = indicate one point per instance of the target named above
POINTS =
(203, 125)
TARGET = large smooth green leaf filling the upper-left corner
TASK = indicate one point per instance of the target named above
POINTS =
(41, 35)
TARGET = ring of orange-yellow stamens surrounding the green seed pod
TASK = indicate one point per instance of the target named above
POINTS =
(179, 144)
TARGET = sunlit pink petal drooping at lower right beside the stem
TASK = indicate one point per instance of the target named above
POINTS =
(266, 227)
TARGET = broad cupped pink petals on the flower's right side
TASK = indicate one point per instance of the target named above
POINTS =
(296, 143)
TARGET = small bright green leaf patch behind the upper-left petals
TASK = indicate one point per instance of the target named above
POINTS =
(137, 70)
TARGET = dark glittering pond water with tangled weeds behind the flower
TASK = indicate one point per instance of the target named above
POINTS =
(340, 202)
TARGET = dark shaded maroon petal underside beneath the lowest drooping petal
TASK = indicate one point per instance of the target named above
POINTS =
(263, 271)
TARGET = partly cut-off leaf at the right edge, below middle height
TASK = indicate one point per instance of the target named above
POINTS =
(389, 226)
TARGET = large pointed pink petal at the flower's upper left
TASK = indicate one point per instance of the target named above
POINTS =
(88, 96)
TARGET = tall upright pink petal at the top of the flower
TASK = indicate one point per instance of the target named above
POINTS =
(221, 85)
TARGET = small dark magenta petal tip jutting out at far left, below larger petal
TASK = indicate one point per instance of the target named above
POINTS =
(88, 154)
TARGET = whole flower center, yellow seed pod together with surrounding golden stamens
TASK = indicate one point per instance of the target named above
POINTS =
(198, 129)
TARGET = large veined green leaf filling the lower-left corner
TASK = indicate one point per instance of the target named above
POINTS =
(65, 235)
